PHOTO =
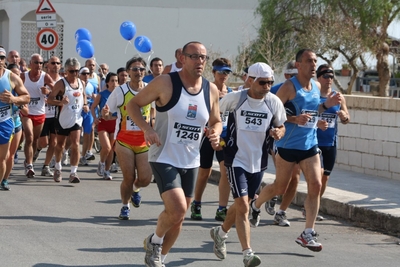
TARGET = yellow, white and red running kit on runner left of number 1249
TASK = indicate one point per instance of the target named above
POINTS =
(126, 130)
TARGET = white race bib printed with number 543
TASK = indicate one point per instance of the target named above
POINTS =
(253, 121)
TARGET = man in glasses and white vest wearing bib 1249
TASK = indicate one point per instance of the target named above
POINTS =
(185, 101)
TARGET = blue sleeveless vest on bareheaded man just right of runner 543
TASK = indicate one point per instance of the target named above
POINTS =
(301, 137)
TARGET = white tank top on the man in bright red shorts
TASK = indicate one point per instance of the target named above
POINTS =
(37, 103)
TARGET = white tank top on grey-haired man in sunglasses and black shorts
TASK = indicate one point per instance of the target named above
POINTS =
(71, 113)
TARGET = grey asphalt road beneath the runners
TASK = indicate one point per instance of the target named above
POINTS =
(43, 223)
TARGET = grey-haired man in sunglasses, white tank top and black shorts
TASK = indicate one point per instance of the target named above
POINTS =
(69, 97)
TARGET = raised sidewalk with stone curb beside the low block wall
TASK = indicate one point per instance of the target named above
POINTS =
(370, 202)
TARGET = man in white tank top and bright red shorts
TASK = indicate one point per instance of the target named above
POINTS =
(39, 84)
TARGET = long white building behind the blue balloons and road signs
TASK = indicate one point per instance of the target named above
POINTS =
(221, 25)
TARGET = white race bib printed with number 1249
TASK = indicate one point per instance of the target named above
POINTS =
(185, 134)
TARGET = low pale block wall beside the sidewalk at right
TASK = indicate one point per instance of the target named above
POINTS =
(370, 143)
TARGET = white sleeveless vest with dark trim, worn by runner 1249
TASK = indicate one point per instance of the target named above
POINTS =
(180, 125)
